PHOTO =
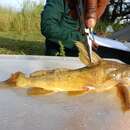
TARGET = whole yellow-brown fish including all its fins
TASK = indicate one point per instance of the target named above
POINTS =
(99, 76)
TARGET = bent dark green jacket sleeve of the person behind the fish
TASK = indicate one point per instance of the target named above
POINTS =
(50, 23)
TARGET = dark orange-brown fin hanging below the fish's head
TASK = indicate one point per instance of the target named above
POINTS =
(125, 96)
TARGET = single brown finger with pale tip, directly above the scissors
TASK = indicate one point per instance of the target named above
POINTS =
(91, 15)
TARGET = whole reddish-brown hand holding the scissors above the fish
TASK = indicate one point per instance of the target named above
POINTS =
(94, 10)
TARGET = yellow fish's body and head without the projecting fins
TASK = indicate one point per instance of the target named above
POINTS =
(99, 77)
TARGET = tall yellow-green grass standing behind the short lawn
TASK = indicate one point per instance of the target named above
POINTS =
(25, 20)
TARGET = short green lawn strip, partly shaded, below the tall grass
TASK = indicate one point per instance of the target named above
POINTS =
(25, 44)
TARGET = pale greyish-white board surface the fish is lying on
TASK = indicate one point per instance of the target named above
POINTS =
(101, 111)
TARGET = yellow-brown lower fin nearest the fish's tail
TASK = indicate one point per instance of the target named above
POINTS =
(38, 91)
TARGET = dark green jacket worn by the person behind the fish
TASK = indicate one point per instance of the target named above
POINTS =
(57, 25)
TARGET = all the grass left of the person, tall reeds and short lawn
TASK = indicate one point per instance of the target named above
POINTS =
(20, 30)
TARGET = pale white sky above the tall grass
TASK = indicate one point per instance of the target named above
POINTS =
(14, 3)
